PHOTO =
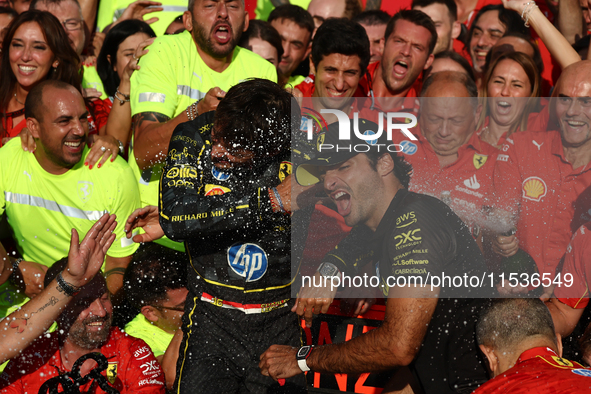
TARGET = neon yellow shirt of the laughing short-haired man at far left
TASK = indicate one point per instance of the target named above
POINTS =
(42, 208)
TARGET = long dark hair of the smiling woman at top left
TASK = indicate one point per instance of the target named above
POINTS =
(57, 41)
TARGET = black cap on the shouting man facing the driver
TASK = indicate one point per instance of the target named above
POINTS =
(332, 150)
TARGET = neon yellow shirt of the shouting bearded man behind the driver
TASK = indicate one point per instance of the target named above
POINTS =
(172, 77)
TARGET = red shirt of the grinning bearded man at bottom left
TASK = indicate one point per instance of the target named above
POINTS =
(132, 366)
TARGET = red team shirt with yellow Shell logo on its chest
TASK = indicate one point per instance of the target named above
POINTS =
(533, 180)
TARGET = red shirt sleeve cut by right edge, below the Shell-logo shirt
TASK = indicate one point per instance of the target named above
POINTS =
(577, 262)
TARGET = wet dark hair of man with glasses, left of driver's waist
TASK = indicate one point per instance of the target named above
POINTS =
(153, 271)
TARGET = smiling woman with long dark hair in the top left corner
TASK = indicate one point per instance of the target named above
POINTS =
(37, 49)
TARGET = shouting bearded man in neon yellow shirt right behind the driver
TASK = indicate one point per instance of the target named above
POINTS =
(186, 75)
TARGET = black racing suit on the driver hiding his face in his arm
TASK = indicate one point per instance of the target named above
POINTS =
(239, 280)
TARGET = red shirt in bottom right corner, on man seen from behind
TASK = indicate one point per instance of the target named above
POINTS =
(540, 370)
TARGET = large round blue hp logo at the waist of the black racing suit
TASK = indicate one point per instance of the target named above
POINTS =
(248, 260)
